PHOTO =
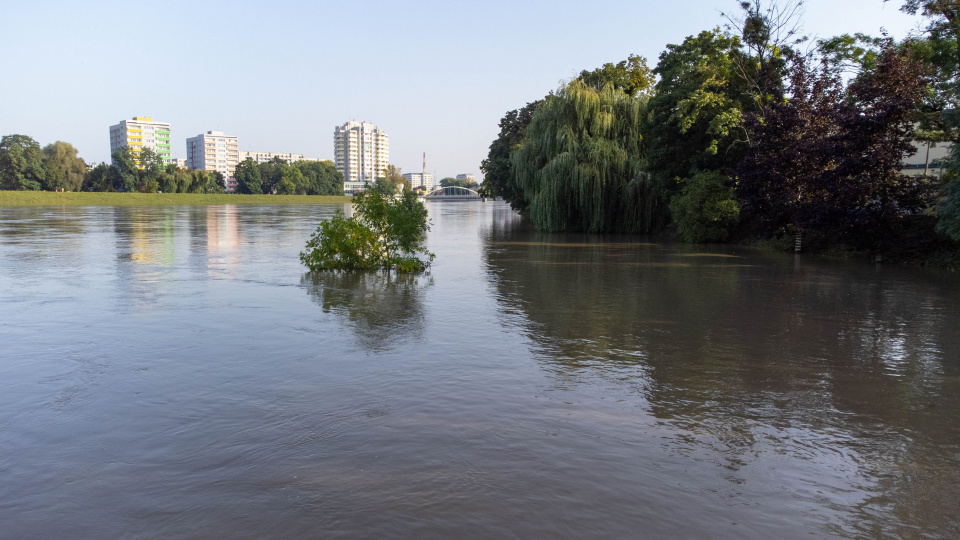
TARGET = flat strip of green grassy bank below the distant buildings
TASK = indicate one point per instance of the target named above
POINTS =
(48, 198)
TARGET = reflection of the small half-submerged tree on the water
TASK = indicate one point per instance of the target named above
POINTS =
(382, 309)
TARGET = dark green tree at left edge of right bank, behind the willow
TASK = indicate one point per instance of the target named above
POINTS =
(498, 180)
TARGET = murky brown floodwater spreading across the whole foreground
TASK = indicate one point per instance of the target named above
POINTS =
(172, 372)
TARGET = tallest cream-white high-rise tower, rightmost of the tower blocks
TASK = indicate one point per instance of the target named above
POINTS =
(362, 152)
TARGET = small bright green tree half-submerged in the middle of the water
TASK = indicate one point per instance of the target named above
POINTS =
(382, 234)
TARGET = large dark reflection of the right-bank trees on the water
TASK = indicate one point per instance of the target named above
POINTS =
(829, 374)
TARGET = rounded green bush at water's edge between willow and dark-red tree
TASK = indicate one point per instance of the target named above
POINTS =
(706, 209)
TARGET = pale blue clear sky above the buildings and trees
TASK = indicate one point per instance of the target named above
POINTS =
(437, 76)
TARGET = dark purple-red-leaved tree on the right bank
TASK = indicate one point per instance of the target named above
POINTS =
(826, 158)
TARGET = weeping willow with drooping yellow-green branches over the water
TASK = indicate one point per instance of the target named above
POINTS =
(580, 163)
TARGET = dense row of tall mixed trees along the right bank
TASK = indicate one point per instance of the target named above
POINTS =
(747, 130)
